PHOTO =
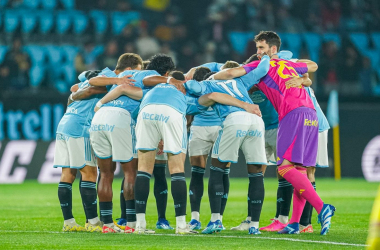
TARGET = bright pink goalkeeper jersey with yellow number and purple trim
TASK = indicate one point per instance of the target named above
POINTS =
(273, 86)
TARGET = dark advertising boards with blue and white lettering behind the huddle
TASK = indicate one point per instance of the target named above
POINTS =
(27, 133)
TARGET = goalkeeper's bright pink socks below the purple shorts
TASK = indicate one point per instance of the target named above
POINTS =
(302, 185)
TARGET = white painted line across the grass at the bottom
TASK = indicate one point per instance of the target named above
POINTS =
(217, 236)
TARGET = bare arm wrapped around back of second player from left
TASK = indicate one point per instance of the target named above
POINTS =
(133, 92)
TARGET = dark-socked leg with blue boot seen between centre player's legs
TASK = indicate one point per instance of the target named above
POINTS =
(161, 191)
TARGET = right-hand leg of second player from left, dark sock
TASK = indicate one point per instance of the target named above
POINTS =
(130, 172)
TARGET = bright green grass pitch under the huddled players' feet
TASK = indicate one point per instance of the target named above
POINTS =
(31, 218)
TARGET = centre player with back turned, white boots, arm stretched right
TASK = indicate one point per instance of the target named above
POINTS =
(162, 118)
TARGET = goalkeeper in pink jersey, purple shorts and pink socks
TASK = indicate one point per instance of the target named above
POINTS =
(297, 138)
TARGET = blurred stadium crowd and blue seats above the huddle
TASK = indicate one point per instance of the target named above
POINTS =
(200, 34)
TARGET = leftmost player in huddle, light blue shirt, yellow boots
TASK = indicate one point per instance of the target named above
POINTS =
(73, 151)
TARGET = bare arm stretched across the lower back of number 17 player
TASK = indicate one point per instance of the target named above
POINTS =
(215, 97)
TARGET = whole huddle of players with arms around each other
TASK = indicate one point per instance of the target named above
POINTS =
(140, 114)
